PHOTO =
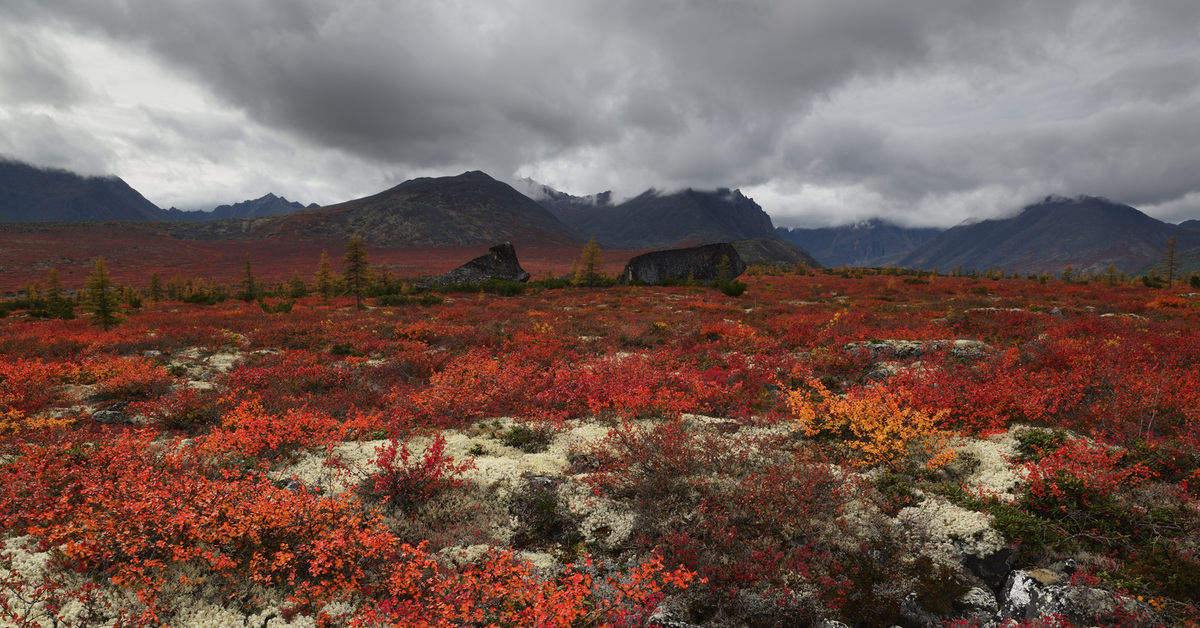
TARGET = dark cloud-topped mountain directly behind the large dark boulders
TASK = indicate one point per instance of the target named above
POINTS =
(656, 220)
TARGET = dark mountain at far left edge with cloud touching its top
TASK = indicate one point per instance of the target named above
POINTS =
(38, 195)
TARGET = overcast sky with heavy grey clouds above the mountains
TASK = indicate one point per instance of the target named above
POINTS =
(826, 112)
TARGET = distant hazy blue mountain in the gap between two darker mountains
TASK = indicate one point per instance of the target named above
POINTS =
(874, 243)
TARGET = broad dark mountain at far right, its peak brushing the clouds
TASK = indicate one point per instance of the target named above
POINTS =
(1088, 234)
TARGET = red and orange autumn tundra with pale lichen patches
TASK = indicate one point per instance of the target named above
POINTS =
(869, 447)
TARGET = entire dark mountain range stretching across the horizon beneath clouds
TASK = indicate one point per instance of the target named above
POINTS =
(1088, 234)
